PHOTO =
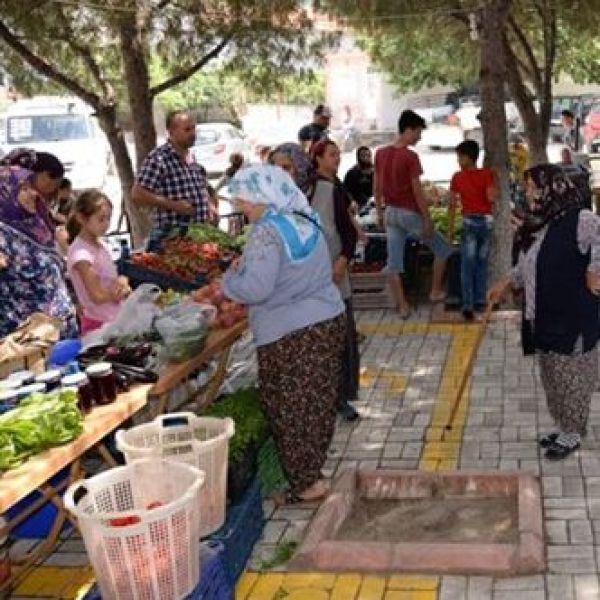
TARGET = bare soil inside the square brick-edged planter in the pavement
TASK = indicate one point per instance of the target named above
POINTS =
(466, 520)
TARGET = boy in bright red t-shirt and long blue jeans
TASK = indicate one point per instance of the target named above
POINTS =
(475, 189)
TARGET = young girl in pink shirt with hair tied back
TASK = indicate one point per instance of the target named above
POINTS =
(99, 288)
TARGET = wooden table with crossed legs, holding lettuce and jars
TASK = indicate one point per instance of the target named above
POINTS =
(34, 474)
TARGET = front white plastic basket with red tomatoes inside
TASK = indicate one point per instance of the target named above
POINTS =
(141, 528)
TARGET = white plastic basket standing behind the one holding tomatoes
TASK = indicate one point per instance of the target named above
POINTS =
(199, 441)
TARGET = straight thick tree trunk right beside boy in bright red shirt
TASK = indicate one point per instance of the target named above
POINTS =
(495, 130)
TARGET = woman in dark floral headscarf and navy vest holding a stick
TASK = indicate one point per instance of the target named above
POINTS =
(558, 266)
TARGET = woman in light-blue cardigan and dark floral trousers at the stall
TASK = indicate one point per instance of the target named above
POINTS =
(297, 319)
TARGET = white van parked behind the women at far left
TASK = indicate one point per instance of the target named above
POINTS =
(64, 127)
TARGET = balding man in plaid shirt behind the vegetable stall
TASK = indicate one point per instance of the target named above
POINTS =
(171, 182)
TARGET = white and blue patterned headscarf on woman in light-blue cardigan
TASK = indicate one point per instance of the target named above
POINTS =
(288, 209)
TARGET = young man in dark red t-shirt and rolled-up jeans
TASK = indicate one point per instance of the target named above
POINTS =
(404, 211)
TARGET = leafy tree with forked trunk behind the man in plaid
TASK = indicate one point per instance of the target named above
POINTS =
(101, 52)
